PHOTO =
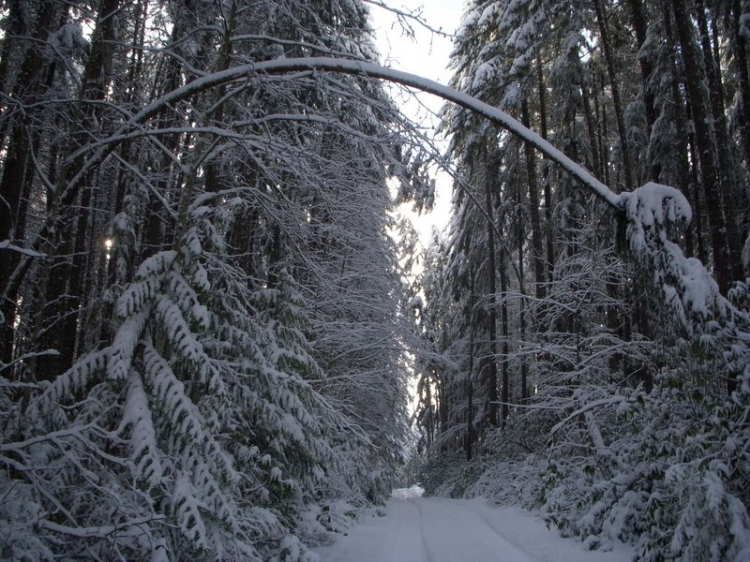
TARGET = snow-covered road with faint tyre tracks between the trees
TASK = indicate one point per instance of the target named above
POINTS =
(449, 530)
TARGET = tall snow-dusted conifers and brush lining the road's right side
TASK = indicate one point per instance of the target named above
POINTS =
(617, 347)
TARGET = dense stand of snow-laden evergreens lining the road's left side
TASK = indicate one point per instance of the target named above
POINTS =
(198, 365)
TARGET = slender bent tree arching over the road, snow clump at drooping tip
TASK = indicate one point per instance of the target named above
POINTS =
(648, 211)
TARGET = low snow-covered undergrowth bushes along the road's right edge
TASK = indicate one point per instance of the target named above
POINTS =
(672, 477)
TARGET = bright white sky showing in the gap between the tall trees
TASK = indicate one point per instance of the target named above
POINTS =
(425, 54)
